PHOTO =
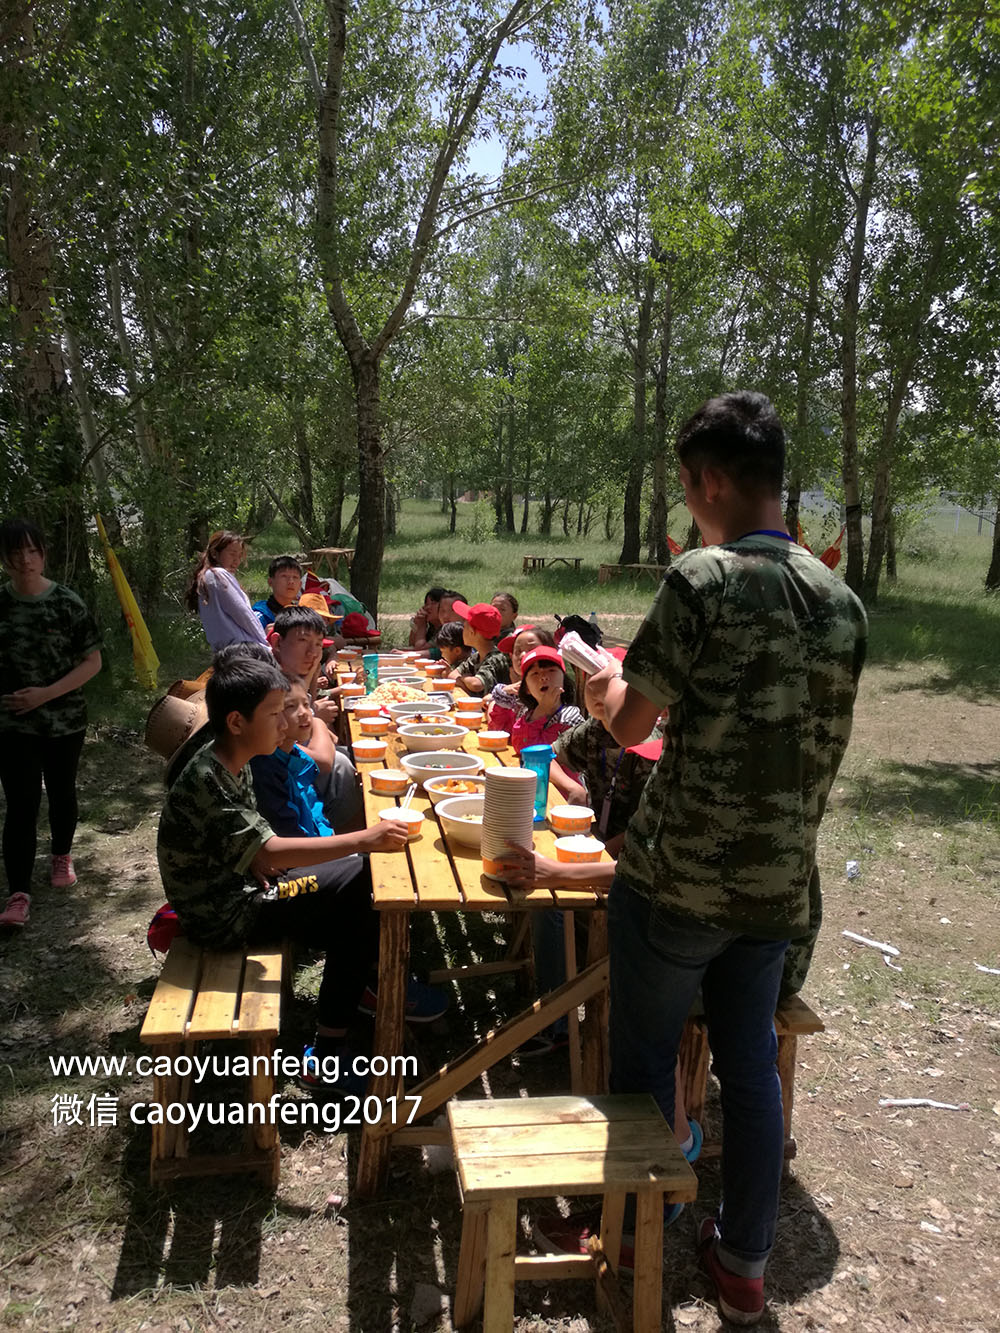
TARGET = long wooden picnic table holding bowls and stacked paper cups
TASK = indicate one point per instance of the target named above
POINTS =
(437, 874)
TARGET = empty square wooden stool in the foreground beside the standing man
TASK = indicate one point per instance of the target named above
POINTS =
(537, 1147)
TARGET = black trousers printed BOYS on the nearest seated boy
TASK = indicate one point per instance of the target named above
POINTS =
(329, 907)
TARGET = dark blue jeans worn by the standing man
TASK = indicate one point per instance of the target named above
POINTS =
(658, 963)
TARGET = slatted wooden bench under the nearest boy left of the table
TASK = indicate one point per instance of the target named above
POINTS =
(205, 996)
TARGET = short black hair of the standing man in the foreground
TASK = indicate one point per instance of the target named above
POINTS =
(741, 435)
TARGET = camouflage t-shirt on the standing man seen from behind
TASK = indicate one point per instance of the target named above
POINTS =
(757, 649)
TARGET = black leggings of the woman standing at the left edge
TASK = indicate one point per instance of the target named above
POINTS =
(25, 762)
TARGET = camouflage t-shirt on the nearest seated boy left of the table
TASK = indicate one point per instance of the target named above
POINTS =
(210, 832)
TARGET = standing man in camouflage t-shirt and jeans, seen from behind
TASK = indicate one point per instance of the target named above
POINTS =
(755, 649)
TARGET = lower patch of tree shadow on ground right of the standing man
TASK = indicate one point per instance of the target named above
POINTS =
(930, 791)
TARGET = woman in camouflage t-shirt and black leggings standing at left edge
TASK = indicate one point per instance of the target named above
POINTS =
(50, 649)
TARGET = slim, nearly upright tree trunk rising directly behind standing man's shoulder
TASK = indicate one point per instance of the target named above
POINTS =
(854, 570)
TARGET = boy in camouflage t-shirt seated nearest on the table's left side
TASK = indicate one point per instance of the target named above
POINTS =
(234, 882)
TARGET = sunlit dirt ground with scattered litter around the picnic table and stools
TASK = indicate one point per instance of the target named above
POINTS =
(890, 1219)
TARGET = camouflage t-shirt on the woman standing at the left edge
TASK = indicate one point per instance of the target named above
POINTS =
(42, 639)
